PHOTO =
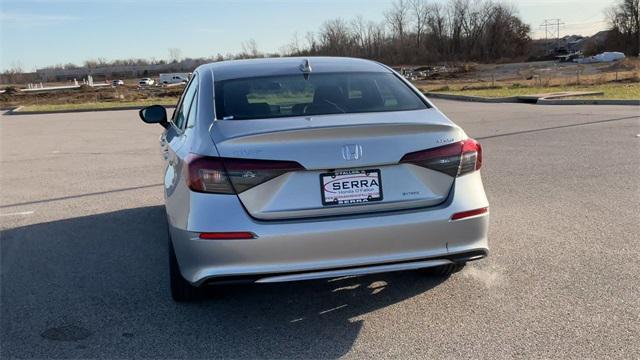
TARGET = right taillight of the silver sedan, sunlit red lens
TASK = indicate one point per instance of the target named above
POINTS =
(455, 159)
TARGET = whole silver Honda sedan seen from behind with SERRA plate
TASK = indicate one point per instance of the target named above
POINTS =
(306, 168)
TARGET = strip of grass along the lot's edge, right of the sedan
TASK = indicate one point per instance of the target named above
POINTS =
(611, 90)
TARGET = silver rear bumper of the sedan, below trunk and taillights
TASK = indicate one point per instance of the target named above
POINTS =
(326, 247)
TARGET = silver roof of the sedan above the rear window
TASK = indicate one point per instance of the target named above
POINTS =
(235, 69)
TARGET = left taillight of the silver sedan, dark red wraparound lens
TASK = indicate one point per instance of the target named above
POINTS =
(231, 175)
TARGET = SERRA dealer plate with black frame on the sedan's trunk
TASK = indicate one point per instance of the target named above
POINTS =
(353, 195)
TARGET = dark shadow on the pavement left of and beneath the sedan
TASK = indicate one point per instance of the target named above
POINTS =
(97, 286)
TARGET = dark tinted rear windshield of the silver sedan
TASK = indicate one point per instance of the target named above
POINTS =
(317, 94)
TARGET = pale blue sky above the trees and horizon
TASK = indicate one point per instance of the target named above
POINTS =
(37, 33)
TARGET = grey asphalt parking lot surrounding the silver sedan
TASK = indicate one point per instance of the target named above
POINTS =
(84, 259)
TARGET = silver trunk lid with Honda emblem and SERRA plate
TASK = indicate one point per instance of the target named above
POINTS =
(365, 146)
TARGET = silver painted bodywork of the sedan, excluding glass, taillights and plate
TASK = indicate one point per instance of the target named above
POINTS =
(294, 232)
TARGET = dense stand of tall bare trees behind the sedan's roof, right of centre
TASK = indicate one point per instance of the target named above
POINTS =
(424, 31)
